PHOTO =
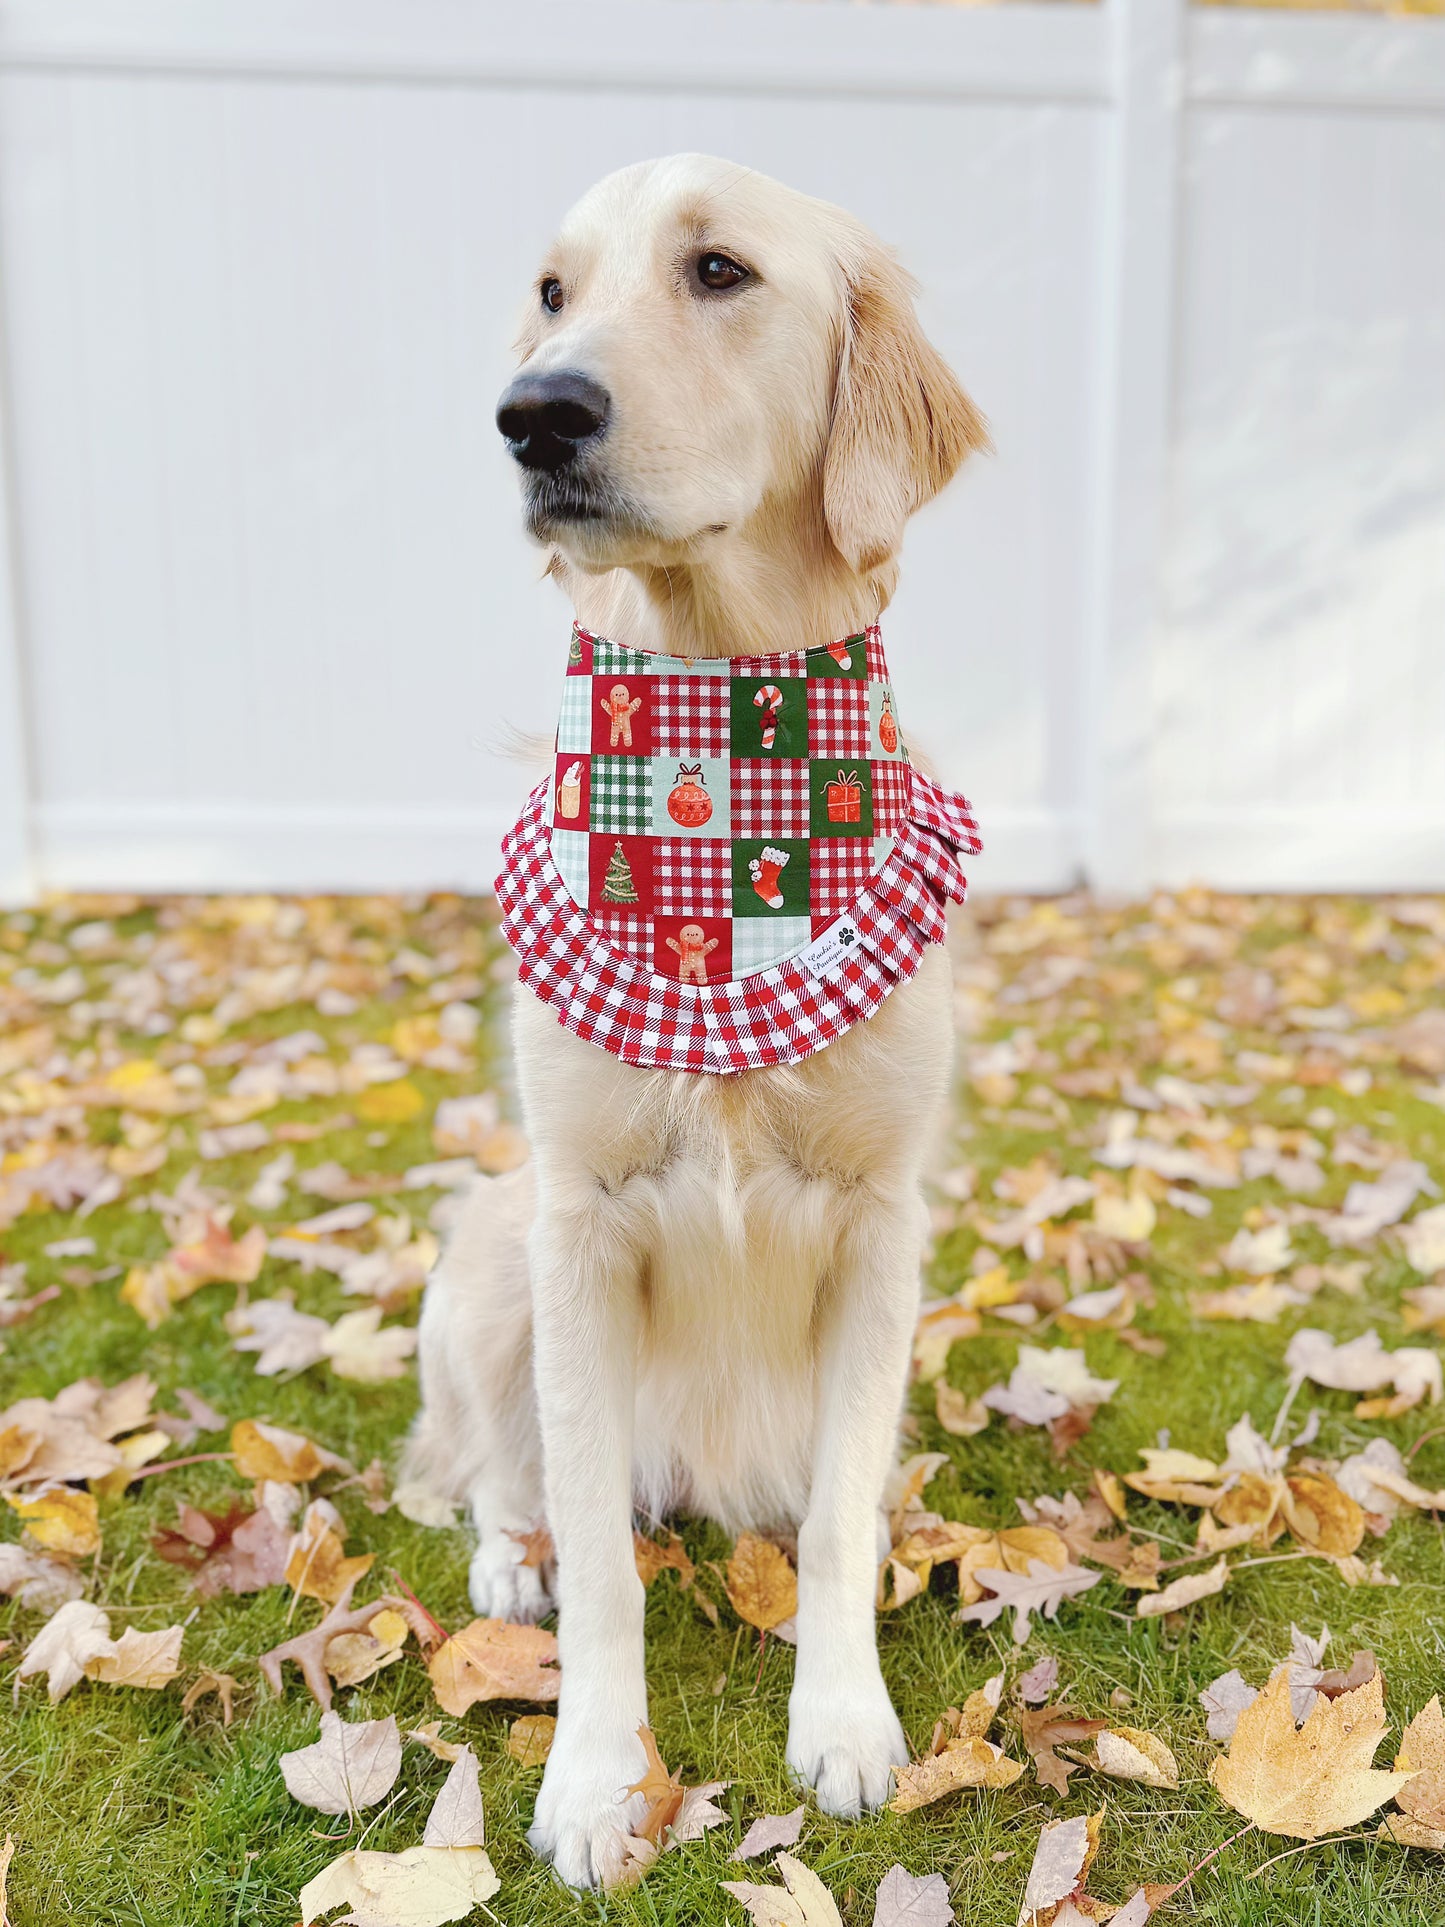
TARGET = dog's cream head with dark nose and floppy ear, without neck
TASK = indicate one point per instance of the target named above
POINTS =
(704, 344)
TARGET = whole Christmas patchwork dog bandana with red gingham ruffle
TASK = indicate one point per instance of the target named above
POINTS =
(733, 860)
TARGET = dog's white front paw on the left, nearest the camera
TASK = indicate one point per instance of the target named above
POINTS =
(587, 1818)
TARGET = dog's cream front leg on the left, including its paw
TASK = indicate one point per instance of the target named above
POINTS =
(585, 1282)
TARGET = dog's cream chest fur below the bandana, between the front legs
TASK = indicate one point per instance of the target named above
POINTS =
(727, 1200)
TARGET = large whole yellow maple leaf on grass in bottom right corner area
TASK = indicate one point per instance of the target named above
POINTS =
(1313, 1780)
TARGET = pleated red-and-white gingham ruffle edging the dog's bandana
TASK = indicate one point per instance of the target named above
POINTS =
(777, 1016)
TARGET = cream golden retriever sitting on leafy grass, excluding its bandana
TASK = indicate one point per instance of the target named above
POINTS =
(700, 1296)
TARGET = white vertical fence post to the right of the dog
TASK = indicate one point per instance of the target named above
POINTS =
(1136, 338)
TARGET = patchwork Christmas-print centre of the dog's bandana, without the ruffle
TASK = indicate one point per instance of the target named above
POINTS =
(716, 818)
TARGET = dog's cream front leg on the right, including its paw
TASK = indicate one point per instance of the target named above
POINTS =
(843, 1731)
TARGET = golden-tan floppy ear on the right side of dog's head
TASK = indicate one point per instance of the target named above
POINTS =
(901, 421)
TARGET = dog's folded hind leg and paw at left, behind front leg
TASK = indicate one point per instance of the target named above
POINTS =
(477, 1437)
